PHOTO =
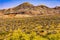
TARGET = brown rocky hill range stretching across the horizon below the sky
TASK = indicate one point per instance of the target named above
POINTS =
(27, 8)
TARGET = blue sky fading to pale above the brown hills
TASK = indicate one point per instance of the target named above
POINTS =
(12, 3)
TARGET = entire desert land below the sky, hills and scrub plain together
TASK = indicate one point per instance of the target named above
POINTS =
(29, 22)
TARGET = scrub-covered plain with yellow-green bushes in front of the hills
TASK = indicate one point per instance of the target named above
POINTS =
(30, 28)
